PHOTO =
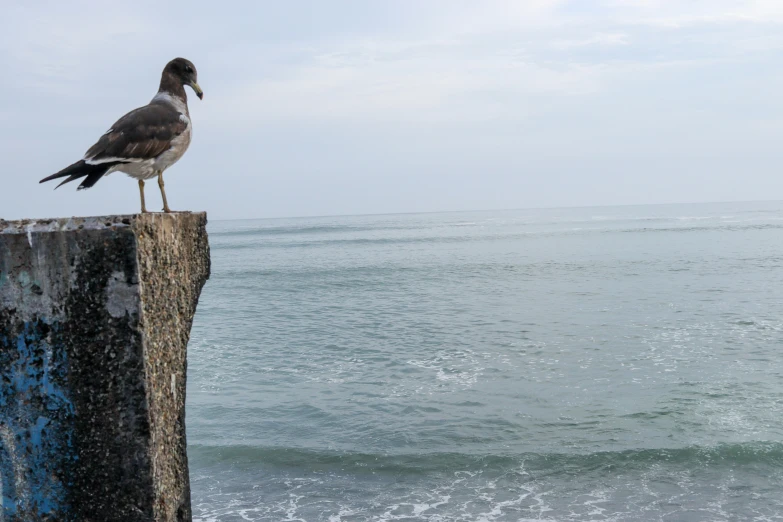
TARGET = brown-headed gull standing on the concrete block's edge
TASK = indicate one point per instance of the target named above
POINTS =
(146, 141)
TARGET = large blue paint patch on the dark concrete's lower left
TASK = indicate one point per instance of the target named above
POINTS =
(35, 413)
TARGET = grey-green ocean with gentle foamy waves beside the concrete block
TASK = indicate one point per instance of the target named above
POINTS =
(617, 363)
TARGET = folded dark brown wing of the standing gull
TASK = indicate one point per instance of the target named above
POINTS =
(142, 134)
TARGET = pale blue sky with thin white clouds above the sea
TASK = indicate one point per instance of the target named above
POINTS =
(382, 106)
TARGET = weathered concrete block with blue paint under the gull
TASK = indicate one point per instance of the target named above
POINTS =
(95, 316)
